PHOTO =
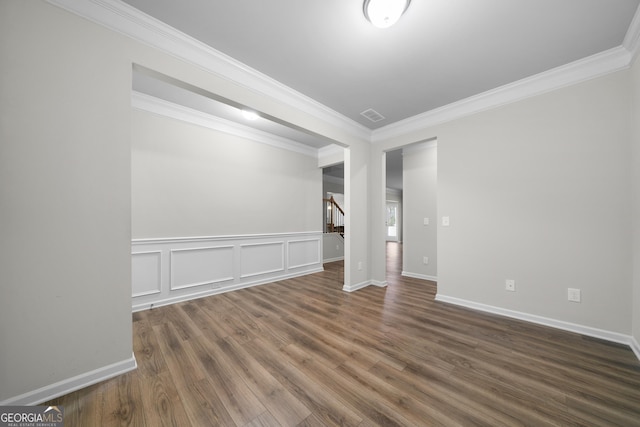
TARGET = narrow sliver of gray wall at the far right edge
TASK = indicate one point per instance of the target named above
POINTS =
(636, 204)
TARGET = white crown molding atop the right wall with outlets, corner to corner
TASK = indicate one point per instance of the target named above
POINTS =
(587, 68)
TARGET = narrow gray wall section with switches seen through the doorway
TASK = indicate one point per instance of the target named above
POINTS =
(420, 173)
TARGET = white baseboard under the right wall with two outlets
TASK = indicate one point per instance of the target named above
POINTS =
(545, 321)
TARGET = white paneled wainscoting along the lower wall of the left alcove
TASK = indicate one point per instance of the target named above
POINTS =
(166, 271)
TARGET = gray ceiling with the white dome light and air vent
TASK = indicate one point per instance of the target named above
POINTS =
(441, 51)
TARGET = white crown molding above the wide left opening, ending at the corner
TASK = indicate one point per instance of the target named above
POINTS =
(129, 21)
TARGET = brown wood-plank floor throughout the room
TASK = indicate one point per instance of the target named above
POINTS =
(303, 352)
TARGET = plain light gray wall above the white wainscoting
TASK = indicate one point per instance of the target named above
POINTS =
(188, 180)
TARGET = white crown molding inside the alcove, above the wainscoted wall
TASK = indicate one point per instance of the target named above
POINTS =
(151, 104)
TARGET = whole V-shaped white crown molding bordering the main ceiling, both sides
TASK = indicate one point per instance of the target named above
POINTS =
(125, 19)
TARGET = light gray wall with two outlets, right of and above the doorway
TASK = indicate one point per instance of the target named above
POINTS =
(538, 191)
